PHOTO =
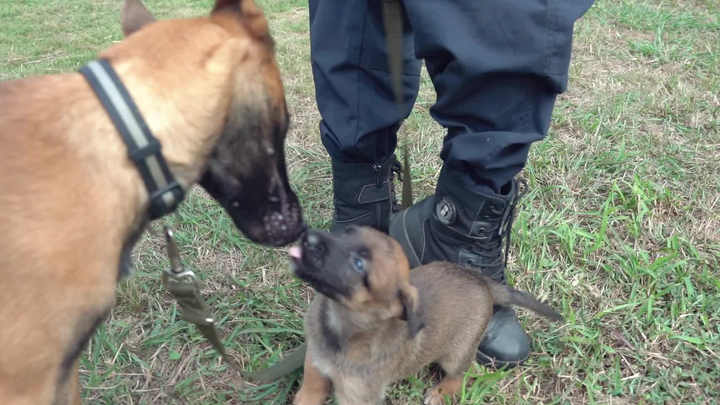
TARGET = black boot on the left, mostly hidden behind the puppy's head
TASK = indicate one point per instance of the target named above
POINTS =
(364, 194)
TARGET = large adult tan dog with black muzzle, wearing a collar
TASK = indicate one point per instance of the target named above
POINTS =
(73, 203)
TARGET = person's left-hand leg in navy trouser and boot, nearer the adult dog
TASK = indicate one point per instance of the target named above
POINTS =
(360, 119)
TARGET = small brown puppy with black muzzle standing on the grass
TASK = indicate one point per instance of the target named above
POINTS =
(367, 329)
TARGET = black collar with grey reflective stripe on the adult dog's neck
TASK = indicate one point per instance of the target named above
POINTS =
(143, 148)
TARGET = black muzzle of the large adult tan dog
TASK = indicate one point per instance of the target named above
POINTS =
(246, 174)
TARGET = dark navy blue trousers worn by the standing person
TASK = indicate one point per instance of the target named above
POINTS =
(497, 67)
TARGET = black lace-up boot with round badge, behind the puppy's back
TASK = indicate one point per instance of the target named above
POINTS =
(463, 226)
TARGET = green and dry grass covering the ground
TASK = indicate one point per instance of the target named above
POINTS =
(620, 229)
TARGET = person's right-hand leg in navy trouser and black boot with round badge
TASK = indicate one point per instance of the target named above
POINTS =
(497, 67)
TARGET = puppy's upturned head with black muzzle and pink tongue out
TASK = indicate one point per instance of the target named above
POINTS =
(364, 270)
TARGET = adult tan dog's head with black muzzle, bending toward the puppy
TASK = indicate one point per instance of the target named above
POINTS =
(222, 70)
